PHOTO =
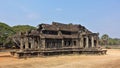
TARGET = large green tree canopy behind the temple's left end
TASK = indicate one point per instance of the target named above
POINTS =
(7, 31)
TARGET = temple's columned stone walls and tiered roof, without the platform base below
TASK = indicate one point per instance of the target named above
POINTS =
(57, 35)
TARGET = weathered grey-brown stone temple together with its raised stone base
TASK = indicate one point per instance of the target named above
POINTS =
(58, 38)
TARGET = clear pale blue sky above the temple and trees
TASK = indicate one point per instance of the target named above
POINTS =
(101, 16)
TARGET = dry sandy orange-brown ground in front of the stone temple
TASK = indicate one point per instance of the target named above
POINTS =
(111, 60)
